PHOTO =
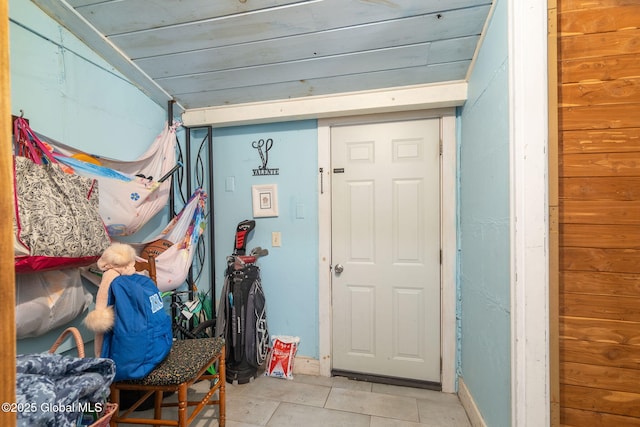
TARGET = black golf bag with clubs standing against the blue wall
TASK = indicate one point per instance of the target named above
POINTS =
(241, 318)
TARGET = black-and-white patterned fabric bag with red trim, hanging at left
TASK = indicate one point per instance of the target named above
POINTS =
(56, 220)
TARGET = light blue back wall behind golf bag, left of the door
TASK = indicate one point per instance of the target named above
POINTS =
(290, 272)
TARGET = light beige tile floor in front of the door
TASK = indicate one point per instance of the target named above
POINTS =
(312, 401)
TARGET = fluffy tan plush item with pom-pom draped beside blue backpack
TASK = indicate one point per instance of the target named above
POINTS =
(117, 260)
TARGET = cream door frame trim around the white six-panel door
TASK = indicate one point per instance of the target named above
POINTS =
(448, 237)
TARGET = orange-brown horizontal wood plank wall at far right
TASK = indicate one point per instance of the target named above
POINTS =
(599, 212)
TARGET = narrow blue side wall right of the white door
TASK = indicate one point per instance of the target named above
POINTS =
(484, 242)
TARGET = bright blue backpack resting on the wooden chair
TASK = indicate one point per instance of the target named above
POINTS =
(141, 335)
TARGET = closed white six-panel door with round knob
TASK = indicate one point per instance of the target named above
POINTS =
(386, 249)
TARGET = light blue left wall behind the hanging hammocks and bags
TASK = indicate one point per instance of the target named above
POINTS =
(70, 94)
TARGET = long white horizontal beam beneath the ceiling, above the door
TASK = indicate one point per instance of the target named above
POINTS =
(408, 98)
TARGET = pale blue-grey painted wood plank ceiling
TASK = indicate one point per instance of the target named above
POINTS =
(208, 53)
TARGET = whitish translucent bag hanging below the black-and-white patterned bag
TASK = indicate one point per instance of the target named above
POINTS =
(47, 300)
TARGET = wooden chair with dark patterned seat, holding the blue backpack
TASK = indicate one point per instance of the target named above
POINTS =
(187, 363)
